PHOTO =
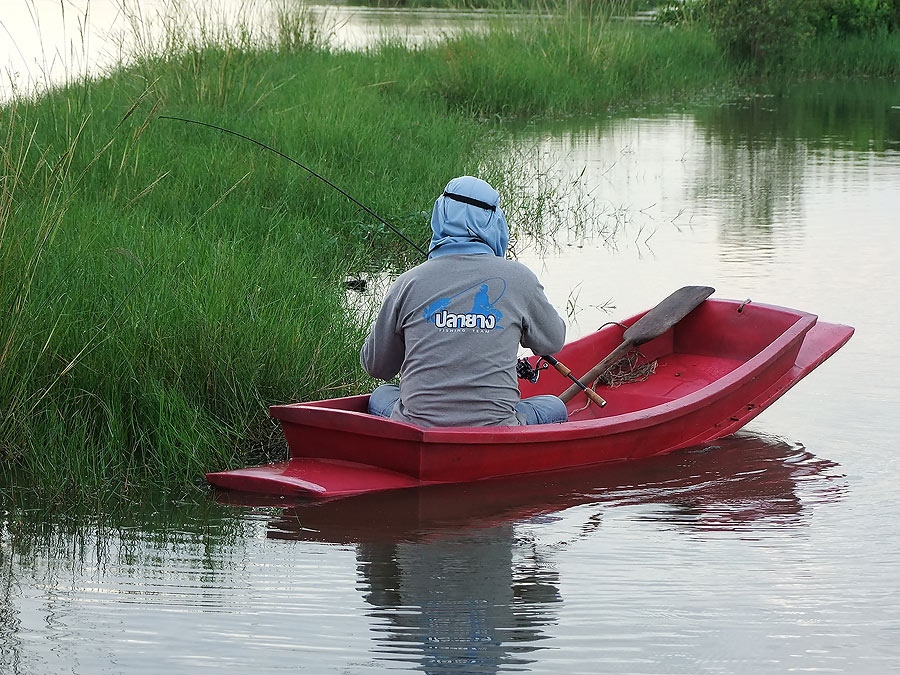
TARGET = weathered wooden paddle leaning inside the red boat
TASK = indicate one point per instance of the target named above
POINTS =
(653, 324)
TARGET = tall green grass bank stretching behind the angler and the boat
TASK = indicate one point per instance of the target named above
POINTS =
(162, 284)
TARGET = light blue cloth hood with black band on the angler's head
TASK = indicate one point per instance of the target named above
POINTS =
(467, 218)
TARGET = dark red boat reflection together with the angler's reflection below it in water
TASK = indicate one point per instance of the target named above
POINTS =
(457, 581)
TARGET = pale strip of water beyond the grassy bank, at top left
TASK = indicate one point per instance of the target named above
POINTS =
(44, 43)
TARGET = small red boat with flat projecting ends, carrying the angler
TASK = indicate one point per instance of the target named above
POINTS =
(712, 372)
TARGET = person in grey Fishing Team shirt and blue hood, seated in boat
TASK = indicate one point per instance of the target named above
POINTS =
(452, 326)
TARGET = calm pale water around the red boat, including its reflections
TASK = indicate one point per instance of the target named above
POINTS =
(769, 552)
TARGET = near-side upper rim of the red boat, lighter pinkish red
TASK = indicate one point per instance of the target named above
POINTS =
(313, 413)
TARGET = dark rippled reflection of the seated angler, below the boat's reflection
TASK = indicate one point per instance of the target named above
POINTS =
(459, 601)
